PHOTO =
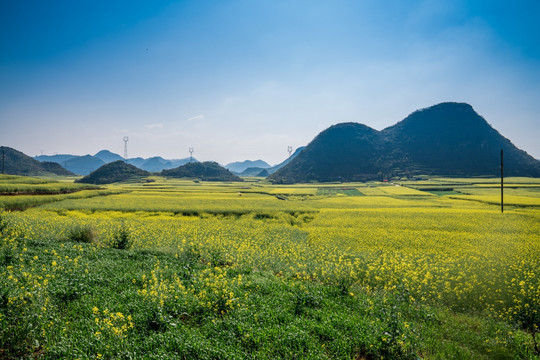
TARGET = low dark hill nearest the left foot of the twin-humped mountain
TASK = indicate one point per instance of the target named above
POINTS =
(208, 171)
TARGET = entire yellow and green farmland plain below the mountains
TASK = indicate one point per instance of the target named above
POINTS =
(184, 269)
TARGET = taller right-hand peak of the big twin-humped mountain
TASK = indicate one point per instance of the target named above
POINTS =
(451, 138)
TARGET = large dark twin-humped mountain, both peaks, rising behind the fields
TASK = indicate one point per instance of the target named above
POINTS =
(445, 139)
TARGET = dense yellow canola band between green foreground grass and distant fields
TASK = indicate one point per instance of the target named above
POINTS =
(467, 261)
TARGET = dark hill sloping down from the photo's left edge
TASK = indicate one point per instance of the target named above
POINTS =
(14, 162)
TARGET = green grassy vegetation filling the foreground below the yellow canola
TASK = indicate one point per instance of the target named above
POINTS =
(276, 316)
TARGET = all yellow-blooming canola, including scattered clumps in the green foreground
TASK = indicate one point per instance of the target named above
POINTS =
(436, 250)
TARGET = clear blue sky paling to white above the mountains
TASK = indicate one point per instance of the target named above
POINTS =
(245, 79)
